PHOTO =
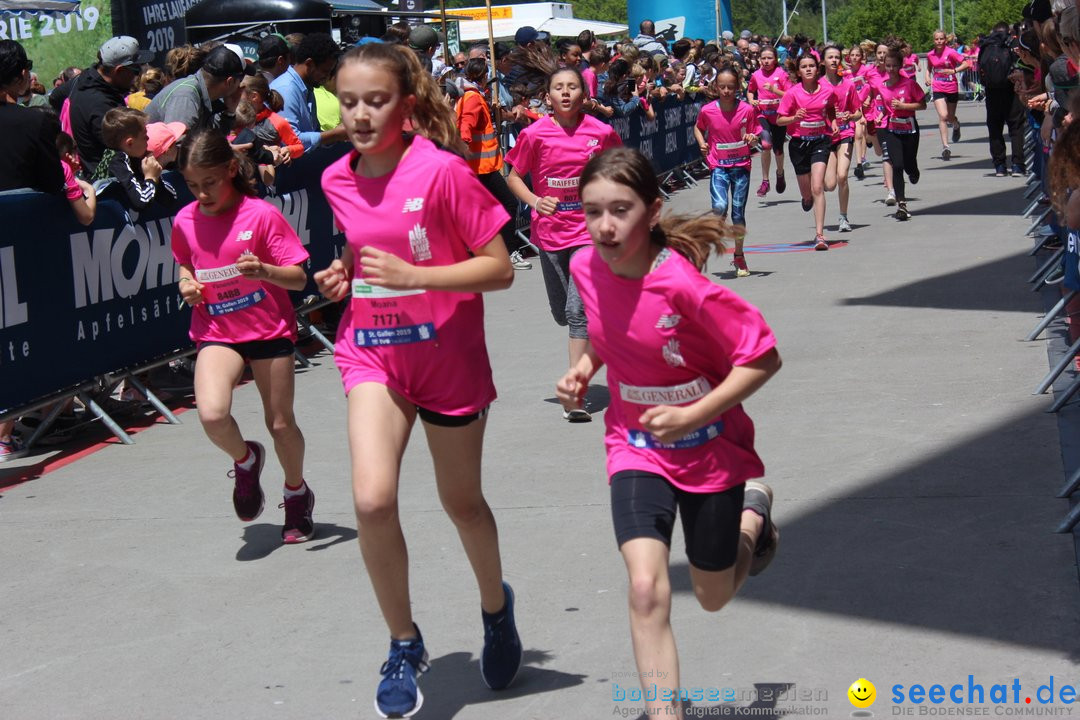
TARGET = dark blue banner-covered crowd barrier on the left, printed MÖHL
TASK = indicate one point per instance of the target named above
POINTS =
(78, 304)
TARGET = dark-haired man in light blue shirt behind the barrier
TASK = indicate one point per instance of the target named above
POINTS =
(314, 62)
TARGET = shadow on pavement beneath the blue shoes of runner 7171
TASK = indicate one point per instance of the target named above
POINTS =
(456, 682)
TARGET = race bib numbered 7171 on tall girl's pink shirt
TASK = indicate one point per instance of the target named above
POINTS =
(382, 317)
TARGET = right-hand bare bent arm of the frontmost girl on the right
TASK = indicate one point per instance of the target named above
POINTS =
(669, 424)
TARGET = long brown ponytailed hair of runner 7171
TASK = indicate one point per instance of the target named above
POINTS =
(431, 117)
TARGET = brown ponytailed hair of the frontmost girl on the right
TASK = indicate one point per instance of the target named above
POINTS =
(694, 238)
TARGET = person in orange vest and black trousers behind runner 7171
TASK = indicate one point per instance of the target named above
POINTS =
(484, 155)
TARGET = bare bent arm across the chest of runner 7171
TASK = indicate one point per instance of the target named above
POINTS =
(489, 269)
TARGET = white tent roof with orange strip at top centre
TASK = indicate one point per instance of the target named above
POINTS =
(553, 18)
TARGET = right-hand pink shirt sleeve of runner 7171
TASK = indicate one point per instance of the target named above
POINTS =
(475, 216)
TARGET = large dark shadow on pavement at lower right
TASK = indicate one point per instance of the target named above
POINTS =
(961, 544)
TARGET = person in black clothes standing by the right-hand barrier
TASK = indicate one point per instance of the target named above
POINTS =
(996, 60)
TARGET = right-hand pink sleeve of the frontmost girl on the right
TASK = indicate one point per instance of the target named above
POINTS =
(736, 325)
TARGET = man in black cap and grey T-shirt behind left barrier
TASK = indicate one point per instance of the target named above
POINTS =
(207, 99)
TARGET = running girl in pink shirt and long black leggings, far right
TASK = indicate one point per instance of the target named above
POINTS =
(900, 98)
